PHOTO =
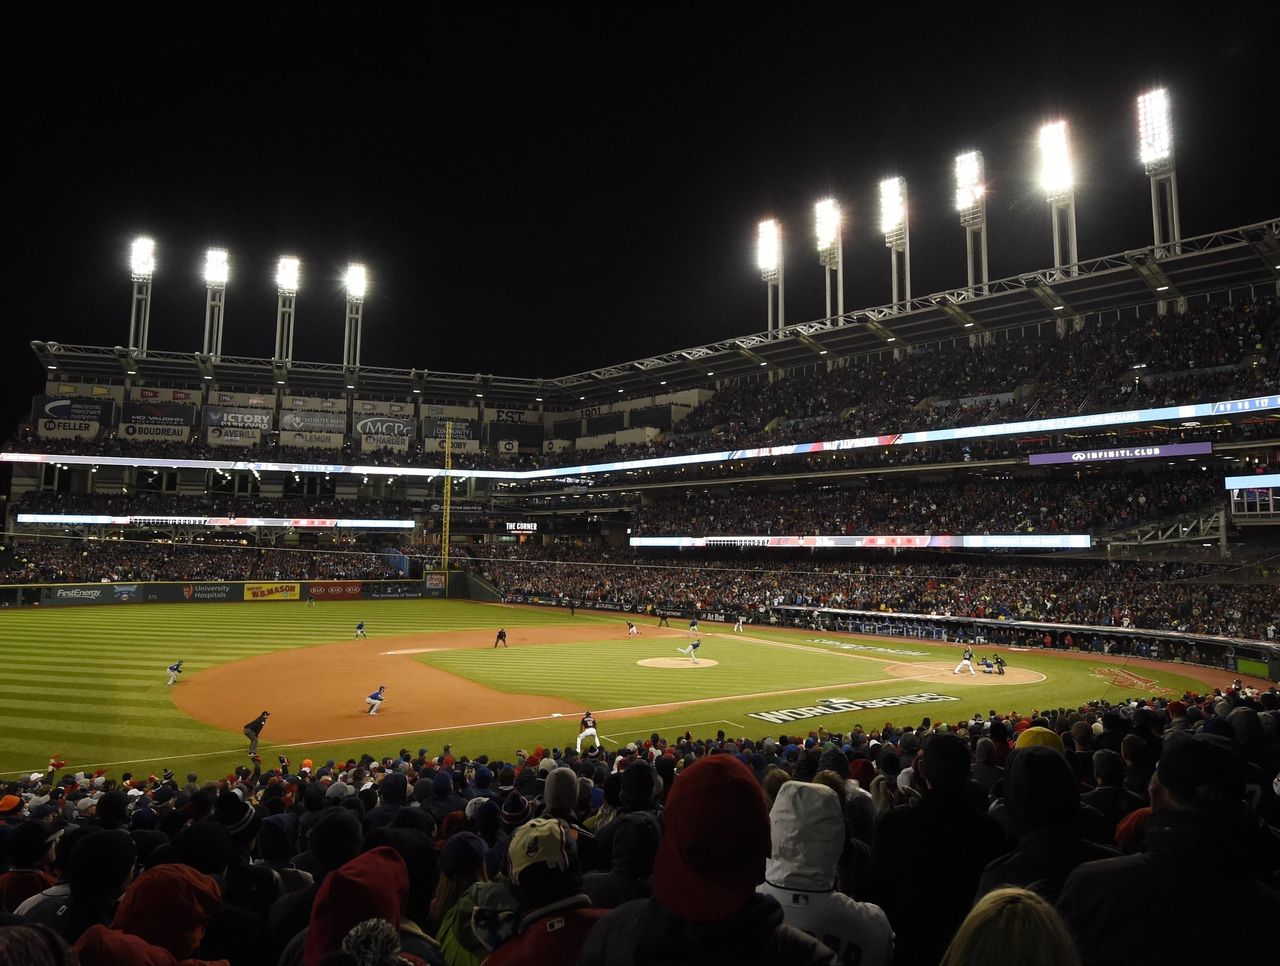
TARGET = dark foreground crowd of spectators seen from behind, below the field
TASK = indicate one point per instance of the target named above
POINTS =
(1055, 836)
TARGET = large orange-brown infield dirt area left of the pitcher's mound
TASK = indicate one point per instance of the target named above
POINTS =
(318, 694)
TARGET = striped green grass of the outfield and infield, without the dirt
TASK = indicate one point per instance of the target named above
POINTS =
(89, 683)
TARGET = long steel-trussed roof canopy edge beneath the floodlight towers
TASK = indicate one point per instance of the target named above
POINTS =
(1236, 259)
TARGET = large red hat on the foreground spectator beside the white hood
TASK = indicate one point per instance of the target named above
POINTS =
(706, 872)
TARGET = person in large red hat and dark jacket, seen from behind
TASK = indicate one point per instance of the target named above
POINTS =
(705, 905)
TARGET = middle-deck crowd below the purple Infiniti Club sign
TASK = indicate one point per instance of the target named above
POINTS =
(1069, 503)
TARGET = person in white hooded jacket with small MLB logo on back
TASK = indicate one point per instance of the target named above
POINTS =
(808, 834)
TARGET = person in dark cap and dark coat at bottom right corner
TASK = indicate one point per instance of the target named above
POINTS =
(1199, 816)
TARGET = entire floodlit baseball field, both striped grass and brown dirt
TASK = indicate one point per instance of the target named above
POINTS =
(90, 685)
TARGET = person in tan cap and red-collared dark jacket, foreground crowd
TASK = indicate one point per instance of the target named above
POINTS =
(555, 914)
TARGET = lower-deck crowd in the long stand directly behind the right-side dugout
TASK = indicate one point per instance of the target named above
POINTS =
(1163, 597)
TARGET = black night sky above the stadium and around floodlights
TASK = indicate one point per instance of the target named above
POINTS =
(537, 195)
